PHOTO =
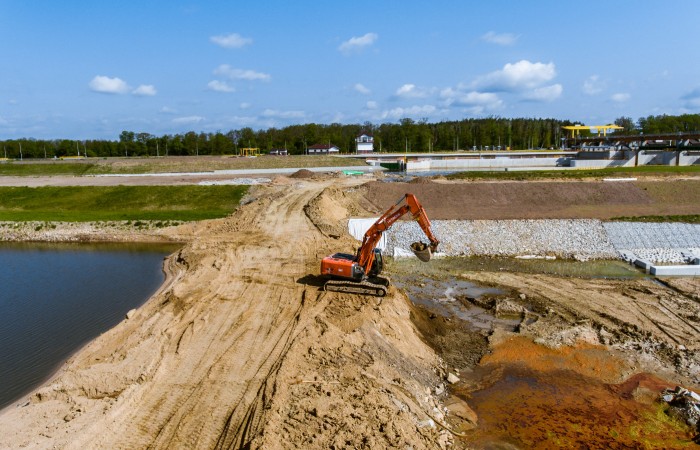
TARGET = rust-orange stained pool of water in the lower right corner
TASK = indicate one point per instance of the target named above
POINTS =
(529, 396)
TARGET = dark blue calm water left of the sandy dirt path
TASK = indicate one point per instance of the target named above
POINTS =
(54, 298)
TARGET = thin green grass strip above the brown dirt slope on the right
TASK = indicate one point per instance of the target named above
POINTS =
(642, 171)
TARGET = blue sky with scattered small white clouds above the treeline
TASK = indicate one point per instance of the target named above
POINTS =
(88, 70)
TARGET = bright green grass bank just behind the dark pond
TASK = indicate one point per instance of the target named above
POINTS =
(87, 204)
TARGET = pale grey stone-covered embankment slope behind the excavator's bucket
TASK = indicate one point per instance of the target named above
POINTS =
(580, 239)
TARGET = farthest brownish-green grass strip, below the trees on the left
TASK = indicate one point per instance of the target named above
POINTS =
(175, 164)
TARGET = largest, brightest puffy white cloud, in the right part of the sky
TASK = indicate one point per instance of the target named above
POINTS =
(517, 76)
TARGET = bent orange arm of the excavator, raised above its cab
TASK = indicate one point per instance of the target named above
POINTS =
(365, 254)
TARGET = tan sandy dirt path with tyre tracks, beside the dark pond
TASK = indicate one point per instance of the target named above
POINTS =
(219, 355)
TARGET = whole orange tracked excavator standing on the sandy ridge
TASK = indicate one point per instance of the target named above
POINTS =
(359, 273)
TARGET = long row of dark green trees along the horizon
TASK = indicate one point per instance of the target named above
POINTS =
(407, 135)
